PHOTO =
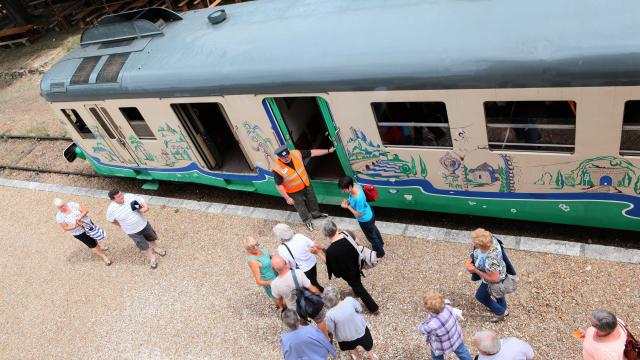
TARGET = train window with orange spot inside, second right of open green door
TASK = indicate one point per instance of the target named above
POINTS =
(531, 125)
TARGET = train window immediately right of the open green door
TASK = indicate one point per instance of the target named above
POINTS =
(413, 124)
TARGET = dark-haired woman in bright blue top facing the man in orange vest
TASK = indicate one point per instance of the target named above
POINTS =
(358, 206)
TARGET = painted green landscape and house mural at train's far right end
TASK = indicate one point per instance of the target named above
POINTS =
(609, 174)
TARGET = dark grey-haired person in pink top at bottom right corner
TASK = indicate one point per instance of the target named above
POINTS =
(605, 338)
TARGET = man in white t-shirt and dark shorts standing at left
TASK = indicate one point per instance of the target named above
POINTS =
(126, 212)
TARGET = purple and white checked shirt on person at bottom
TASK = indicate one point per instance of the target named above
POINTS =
(442, 332)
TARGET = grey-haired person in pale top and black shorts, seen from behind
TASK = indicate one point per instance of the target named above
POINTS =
(346, 322)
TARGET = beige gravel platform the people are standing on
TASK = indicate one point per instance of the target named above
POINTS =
(60, 301)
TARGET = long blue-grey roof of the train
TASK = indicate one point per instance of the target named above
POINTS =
(291, 46)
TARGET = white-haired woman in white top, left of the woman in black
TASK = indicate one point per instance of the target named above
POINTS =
(299, 251)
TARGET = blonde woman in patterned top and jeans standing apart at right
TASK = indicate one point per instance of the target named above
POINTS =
(489, 264)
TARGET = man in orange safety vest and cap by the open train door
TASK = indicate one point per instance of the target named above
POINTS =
(292, 181)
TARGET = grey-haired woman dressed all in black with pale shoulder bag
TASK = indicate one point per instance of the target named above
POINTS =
(343, 261)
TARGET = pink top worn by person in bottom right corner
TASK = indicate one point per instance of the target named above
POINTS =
(610, 347)
